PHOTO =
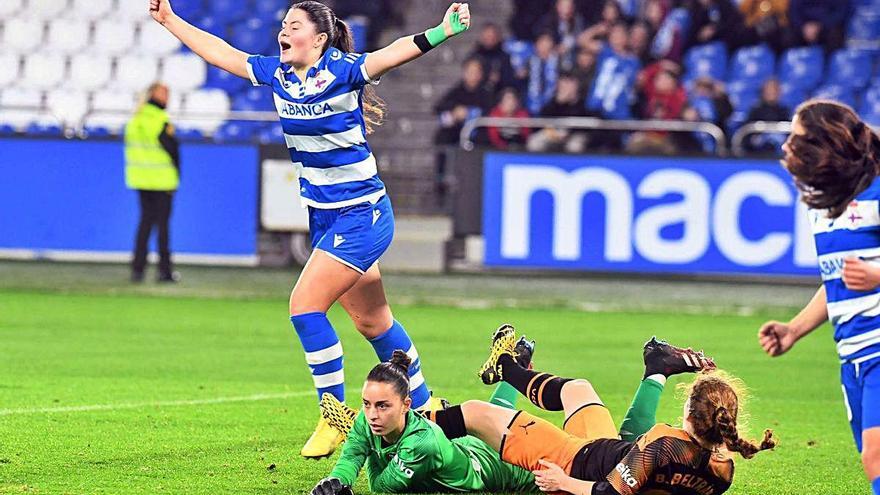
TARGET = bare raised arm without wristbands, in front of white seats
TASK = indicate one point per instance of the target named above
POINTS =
(214, 50)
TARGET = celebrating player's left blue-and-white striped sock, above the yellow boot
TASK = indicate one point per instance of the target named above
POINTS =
(323, 353)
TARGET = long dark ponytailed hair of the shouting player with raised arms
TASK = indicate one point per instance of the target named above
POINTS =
(339, 36)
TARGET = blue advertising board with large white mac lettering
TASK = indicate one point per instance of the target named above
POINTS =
(656, 215)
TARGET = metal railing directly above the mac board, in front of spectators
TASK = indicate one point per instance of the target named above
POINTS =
(593, 123)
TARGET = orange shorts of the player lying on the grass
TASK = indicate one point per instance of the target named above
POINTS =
(530, 439)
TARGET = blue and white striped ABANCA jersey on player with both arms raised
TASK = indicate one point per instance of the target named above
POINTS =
(323, 123)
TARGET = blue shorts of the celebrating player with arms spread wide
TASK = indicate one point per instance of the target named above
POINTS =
(355, 235)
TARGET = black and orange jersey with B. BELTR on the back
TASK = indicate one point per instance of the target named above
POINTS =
(664, 461)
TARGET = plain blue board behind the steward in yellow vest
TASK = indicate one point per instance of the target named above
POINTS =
(66, 199)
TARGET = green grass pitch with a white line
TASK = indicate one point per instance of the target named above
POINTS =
(124, 392)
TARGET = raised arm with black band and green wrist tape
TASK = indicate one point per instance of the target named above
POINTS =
(403, 50)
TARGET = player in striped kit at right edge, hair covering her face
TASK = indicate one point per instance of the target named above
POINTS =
(834, 158)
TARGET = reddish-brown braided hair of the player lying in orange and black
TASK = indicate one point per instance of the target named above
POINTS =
(713, 409)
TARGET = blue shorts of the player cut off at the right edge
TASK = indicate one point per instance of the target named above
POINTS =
(861, 392)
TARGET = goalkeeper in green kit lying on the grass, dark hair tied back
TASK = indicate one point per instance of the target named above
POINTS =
(406, 452)
